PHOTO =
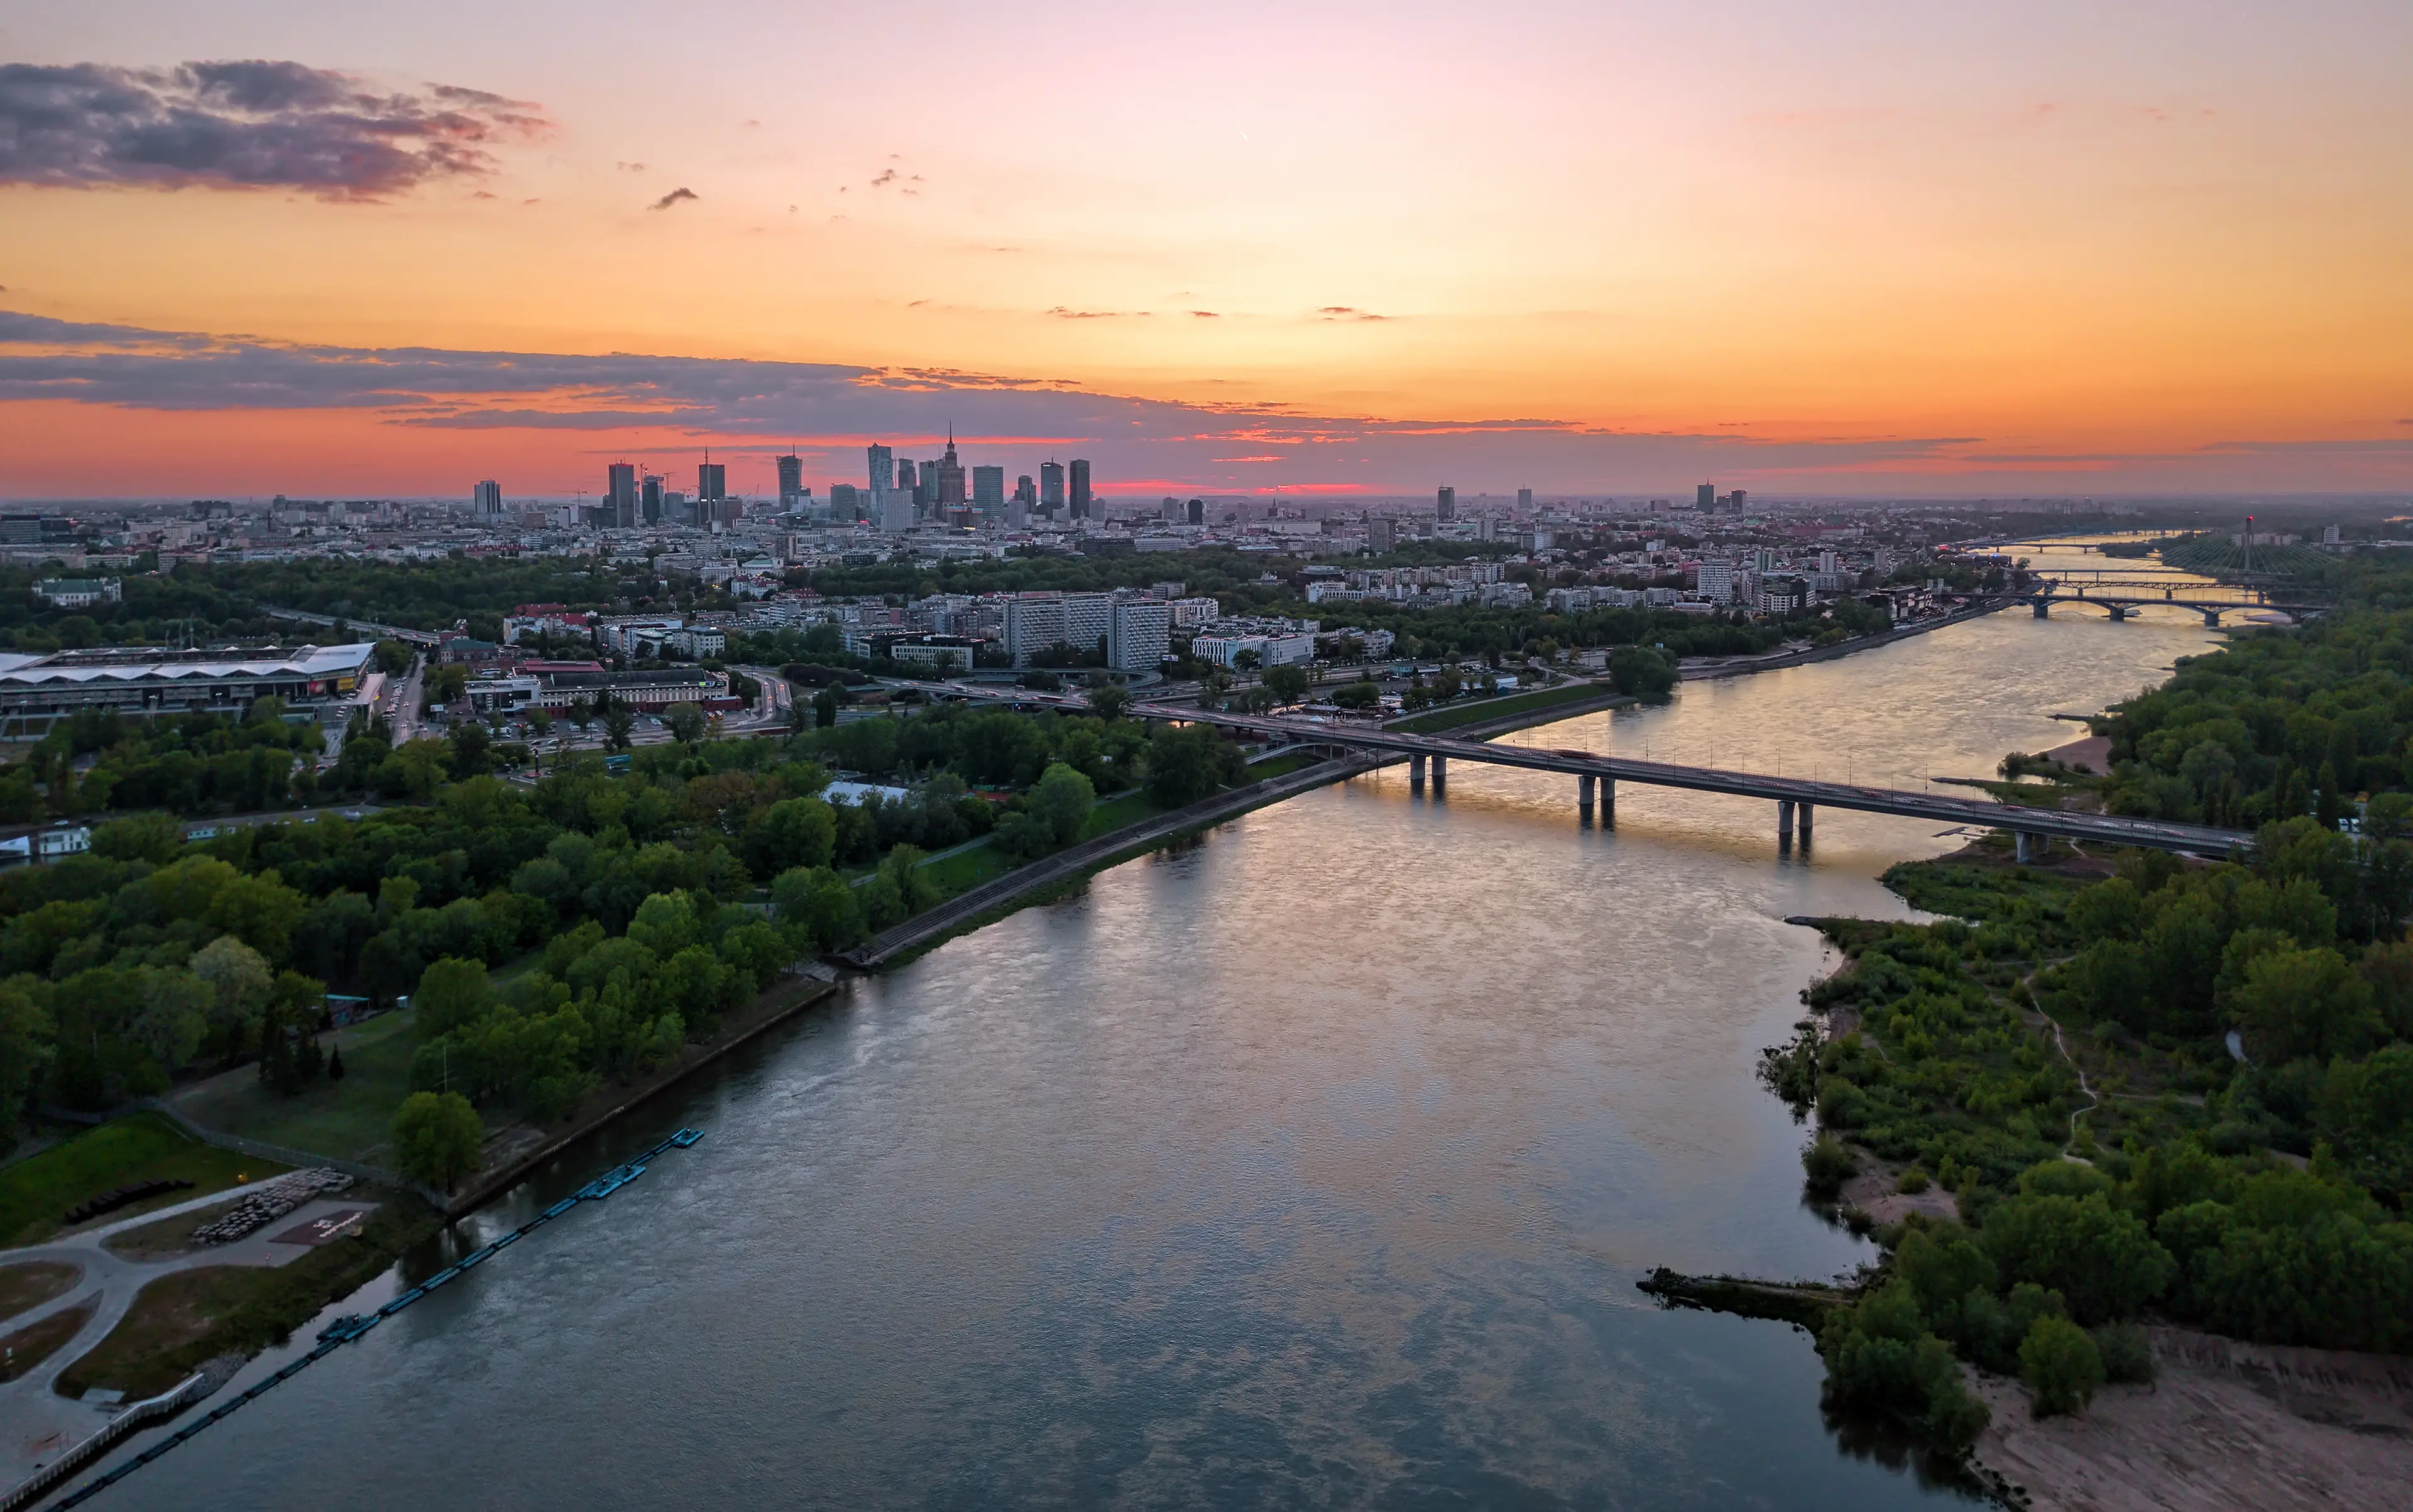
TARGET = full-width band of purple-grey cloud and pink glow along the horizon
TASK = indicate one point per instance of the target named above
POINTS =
(658, 404)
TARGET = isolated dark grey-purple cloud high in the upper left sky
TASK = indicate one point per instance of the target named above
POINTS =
(245, 124)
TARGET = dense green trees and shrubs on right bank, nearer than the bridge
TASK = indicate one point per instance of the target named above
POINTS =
(2262, 1192)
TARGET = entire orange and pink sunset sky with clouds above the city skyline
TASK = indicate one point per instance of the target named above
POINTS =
(1833, 250)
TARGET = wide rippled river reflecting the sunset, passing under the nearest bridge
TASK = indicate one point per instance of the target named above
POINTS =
(1309, 1166)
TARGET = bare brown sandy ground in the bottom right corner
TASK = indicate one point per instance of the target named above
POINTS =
(2226, 1429)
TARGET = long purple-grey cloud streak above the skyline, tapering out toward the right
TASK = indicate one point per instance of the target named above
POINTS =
(841, 406)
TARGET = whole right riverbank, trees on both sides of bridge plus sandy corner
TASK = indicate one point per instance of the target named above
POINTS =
(2134, 1132)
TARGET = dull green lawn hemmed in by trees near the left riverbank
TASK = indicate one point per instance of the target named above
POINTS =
(346, 1118)
